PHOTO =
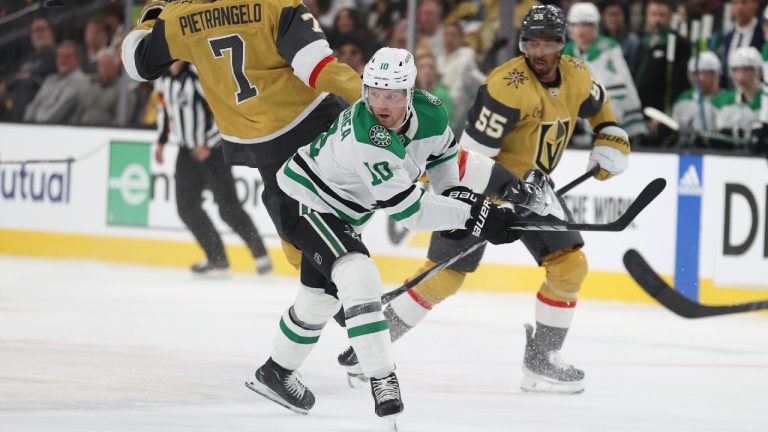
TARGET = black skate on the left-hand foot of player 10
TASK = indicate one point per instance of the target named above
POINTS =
(283, 387)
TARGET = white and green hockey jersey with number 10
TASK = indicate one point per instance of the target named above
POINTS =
(358, 166)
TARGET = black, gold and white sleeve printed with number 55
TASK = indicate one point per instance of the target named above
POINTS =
(488, 122)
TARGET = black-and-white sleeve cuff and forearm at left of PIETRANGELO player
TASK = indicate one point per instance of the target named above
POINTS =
(145, 52)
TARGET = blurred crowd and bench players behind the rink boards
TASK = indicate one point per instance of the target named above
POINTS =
(675, 56)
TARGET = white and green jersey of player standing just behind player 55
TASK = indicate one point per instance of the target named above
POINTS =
(606, 61)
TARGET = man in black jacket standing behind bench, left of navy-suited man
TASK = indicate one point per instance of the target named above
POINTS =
(659, 81)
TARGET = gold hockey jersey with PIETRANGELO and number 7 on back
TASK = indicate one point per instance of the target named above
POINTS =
(264, 64)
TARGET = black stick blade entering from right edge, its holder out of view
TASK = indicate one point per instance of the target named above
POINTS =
(652, 283)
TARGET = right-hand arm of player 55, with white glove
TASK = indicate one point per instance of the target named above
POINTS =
(611, 147)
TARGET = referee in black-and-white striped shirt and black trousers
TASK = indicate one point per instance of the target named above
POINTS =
(185, 120)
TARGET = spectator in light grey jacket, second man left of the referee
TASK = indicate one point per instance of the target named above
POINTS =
(59, 95)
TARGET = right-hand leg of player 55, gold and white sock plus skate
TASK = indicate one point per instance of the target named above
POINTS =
(566, 268)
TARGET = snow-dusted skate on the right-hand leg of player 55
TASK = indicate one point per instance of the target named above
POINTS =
(544, 371)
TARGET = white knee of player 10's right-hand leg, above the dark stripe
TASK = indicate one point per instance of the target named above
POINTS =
(357, 279)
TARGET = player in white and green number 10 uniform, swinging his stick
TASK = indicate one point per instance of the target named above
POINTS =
(370, 159)
